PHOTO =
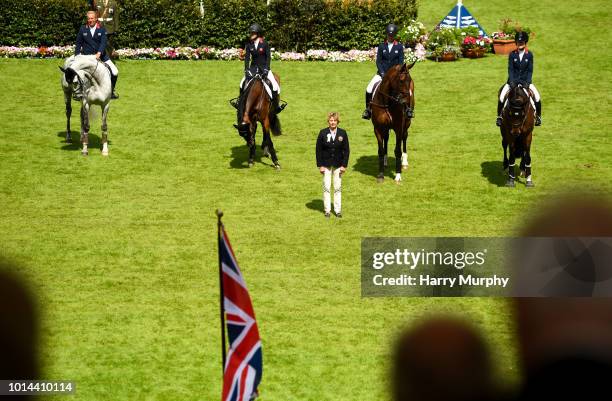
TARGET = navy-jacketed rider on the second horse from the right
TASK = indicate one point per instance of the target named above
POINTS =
(390, 52)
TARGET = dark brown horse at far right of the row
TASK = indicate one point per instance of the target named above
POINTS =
(518, 118)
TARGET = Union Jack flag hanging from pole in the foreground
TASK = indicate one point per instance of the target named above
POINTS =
(243, 365)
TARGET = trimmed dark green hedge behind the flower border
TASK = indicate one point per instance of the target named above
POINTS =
(290, 24)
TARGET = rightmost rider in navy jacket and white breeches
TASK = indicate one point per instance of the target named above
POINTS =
(520, 71)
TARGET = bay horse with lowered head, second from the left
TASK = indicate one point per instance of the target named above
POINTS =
(256, 106)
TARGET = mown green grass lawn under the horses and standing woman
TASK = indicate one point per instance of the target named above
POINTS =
(122, 250)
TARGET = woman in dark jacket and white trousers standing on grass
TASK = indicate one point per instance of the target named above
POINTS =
(332, 158)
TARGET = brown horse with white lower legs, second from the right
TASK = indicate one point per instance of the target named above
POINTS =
(391, 103)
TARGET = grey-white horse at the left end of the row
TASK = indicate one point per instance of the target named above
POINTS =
(87, 80)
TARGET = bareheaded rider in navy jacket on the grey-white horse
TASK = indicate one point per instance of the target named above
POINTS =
(95, 44)
